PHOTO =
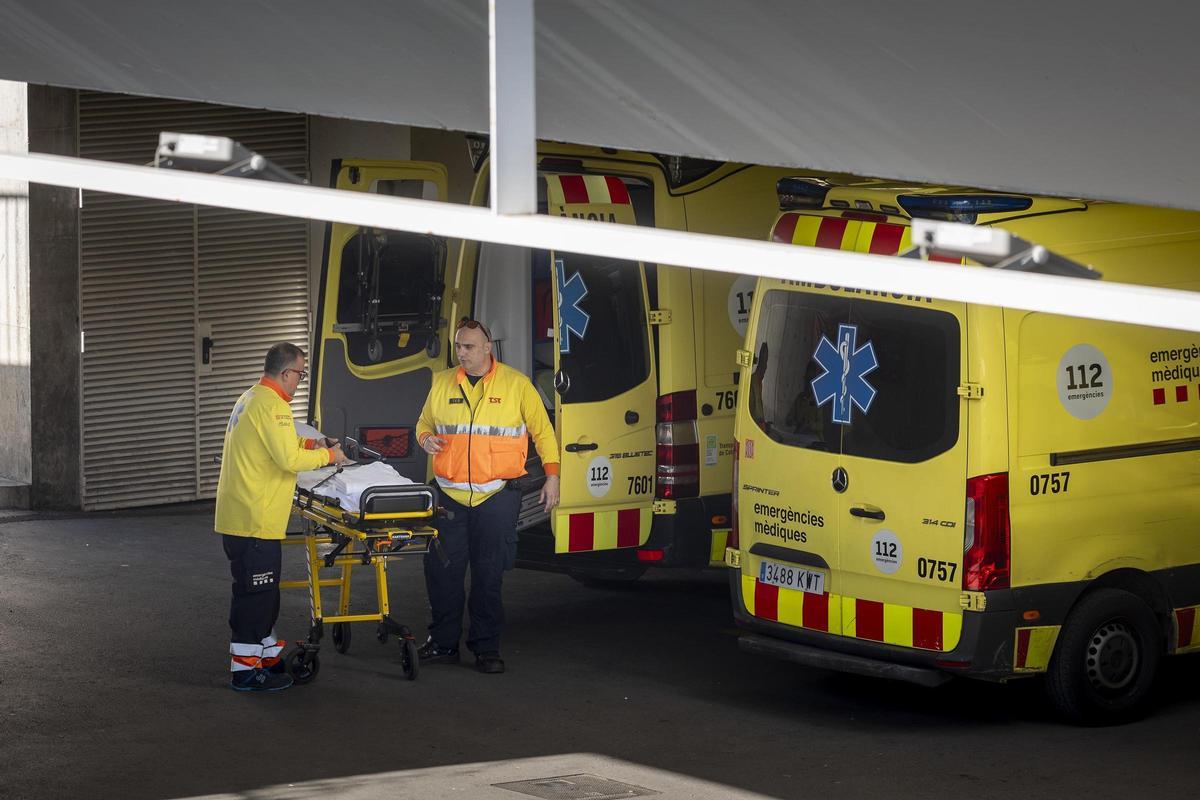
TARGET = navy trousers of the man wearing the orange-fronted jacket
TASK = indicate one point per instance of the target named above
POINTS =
(483, 538)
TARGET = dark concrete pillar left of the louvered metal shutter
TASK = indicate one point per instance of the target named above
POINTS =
(55, 377)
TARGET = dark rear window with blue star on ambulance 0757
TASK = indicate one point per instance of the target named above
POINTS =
(860, 377)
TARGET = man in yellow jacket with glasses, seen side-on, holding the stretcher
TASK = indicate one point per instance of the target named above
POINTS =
(259, 476)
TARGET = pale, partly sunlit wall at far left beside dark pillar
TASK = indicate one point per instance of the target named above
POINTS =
(15, 443)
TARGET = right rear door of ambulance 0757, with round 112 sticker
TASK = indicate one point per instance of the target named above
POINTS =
(896, 370)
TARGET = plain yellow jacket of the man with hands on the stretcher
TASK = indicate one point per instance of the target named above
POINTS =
(260, 464)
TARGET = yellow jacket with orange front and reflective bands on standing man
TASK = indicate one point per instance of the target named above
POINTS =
(487, 429)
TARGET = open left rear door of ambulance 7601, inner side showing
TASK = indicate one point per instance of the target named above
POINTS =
(381, 318)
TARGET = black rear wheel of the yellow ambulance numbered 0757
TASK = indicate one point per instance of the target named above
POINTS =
(1107, 659)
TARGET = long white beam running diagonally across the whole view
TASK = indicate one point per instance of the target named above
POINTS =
(1077, 298)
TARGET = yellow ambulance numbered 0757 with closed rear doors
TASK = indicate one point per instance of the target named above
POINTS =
(931, 489)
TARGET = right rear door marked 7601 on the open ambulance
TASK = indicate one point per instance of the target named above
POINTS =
(605, 383)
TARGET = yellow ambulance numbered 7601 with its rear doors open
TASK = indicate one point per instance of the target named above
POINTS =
(634, 362)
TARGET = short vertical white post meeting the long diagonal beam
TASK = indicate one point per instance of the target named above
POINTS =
(514, 107)
